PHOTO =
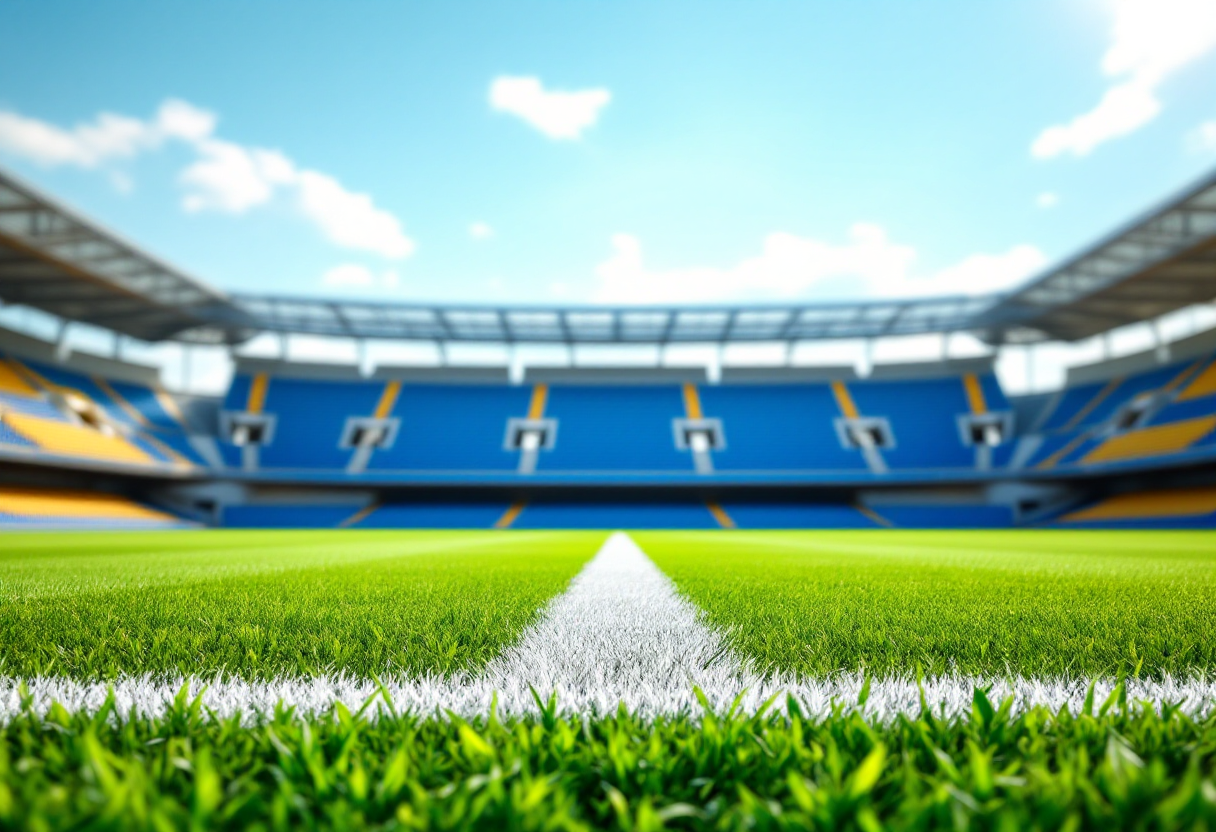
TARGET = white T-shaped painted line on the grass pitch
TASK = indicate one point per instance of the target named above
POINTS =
(620, 636)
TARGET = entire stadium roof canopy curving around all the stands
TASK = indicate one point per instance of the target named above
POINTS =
(55, 261)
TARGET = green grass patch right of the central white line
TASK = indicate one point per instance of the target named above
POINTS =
(979, 603)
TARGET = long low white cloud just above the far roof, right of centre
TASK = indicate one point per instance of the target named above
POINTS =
(792, 268)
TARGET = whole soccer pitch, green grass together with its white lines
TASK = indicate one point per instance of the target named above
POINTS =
(586, 681)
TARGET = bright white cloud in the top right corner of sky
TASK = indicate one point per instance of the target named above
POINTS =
(1151, 41)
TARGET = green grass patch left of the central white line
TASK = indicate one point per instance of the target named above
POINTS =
(266, 604)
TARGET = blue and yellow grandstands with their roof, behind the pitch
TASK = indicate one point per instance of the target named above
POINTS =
(89, 440)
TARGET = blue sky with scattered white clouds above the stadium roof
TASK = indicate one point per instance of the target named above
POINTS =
(620, 153)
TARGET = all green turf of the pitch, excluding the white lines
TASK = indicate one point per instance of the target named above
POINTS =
(261, 605)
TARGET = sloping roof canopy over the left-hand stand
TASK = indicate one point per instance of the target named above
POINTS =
(59, 262)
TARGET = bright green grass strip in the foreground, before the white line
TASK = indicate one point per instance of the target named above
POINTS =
(1117, 767)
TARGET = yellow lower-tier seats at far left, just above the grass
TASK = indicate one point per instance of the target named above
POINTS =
(27, 508)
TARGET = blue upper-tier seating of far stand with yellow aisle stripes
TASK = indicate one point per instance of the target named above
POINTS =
(617, 432)
